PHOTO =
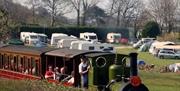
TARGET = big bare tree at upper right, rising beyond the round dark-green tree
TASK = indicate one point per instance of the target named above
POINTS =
(164, 12)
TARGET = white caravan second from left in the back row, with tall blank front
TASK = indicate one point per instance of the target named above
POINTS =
(58, 36)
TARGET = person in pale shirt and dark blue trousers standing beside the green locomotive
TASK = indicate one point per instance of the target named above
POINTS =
(83, 71)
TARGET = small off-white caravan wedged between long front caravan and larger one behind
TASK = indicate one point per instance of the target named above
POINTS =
(65, 43)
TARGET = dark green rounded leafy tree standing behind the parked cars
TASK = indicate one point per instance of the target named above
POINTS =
(151, 29)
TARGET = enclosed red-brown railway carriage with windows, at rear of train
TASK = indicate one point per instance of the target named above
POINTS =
(19, 62)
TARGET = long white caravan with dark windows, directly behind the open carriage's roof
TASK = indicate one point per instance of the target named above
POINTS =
(86, 45)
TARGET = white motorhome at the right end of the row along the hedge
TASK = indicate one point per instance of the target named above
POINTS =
(113, 37)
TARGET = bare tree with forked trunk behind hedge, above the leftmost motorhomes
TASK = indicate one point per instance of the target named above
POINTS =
(56, 8)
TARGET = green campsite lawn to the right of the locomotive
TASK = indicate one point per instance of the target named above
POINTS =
(155, 80)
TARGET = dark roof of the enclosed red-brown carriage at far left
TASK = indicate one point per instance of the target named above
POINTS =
(25, 49)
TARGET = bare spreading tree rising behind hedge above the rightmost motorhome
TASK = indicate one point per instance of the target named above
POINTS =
(125, 10)
